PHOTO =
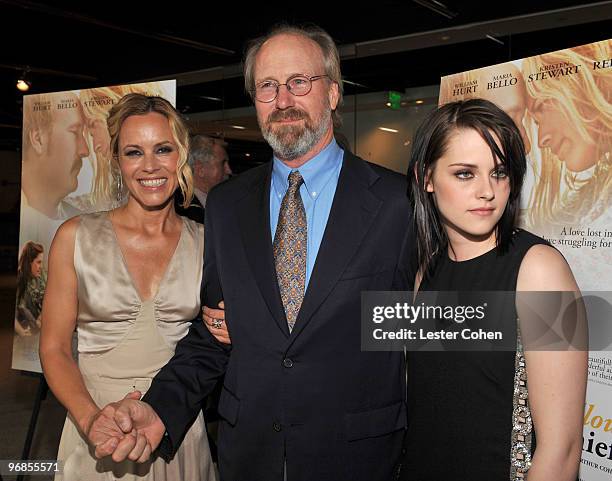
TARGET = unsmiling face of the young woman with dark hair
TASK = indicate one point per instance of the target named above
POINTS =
(469, 189)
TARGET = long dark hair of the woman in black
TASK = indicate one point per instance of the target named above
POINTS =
(430, 143)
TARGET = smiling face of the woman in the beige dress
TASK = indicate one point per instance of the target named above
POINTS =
(148, 158)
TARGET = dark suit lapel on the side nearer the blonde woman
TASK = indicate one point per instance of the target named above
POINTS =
(254, 218)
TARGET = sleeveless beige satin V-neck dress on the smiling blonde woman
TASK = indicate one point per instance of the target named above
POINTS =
(124, 342)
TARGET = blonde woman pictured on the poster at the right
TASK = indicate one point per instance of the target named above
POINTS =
(573, 113)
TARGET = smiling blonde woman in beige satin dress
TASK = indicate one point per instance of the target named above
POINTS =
(129, 280)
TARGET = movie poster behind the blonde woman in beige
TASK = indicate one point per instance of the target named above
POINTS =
(66, 171)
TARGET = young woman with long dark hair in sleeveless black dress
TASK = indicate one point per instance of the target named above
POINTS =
(475, 415)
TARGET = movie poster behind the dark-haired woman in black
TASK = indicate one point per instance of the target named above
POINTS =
(562, 103)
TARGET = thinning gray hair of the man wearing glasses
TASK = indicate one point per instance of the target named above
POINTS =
(331, 57)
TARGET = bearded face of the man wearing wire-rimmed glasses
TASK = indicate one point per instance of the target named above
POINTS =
(294, 125)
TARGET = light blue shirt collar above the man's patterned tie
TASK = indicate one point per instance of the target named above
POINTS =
(316, 172)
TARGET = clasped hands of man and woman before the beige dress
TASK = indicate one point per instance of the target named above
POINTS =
(126, 429)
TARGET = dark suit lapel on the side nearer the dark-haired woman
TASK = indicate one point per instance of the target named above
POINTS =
(353, 210)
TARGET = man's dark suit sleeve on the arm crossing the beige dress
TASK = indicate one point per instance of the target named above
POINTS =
(179, 388)
